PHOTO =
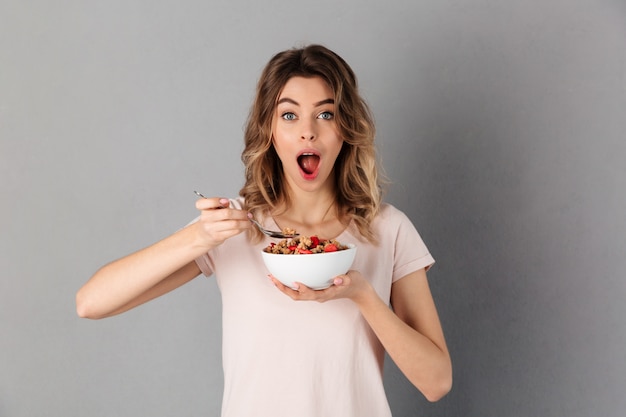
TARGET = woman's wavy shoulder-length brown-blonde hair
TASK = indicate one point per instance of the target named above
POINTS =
(357, 181)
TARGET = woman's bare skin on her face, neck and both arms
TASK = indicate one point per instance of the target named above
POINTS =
(411, 333)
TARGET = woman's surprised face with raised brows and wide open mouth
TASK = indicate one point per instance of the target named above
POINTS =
(305, 134)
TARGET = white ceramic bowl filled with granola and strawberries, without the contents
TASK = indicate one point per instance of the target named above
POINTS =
(315, 270)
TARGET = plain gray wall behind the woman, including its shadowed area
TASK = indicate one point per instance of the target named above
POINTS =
(501, 125)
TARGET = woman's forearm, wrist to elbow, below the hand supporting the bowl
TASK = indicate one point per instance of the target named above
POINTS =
(424, 363)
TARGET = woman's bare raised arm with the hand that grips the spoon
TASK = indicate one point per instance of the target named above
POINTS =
(161, 267)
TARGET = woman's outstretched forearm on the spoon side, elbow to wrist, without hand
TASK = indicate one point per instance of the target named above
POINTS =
(120, 282)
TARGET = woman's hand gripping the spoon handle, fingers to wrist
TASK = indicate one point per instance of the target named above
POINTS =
(219, 222)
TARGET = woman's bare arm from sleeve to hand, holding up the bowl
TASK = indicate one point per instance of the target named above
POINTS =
(411, 333)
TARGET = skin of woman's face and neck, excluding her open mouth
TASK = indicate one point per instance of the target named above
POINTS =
(304, 122)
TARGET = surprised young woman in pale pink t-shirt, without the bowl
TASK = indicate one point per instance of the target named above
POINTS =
(311, 166)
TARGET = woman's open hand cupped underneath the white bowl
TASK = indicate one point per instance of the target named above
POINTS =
(352, 285)
